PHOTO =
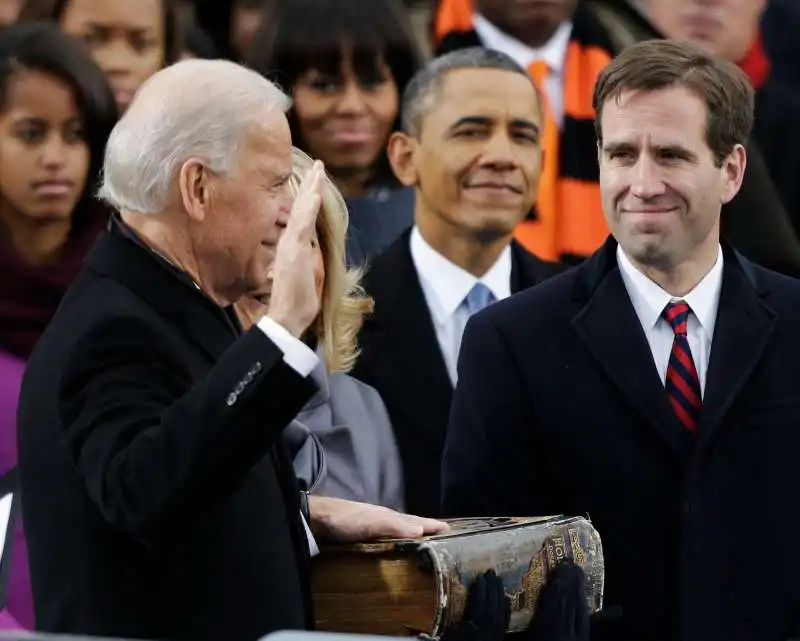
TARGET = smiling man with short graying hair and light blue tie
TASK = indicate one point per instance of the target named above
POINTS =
(471, 149)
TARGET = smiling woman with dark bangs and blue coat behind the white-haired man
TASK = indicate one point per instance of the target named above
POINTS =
(346, 63)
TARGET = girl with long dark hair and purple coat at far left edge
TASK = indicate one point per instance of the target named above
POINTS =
(56, 112)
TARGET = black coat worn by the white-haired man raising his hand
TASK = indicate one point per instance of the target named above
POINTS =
(158, 499)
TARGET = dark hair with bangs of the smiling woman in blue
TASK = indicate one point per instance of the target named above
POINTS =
(312, 34)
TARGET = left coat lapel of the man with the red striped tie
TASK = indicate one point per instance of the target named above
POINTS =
(608, 325)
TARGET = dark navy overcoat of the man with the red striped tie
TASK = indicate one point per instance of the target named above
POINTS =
(560, 409)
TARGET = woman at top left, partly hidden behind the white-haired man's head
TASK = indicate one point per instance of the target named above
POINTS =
(129, 39)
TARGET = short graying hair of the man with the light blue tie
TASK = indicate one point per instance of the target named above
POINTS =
(422, 91)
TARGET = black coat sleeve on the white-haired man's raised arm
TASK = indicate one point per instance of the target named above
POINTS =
(155, 449)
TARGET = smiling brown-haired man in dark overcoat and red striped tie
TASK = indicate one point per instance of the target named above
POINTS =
(655, 386)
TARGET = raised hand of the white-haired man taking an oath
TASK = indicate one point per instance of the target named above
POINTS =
(293, 299)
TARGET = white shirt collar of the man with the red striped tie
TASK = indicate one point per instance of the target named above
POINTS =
(649, 299)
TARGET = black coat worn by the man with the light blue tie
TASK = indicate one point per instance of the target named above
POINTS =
(401, 358)
